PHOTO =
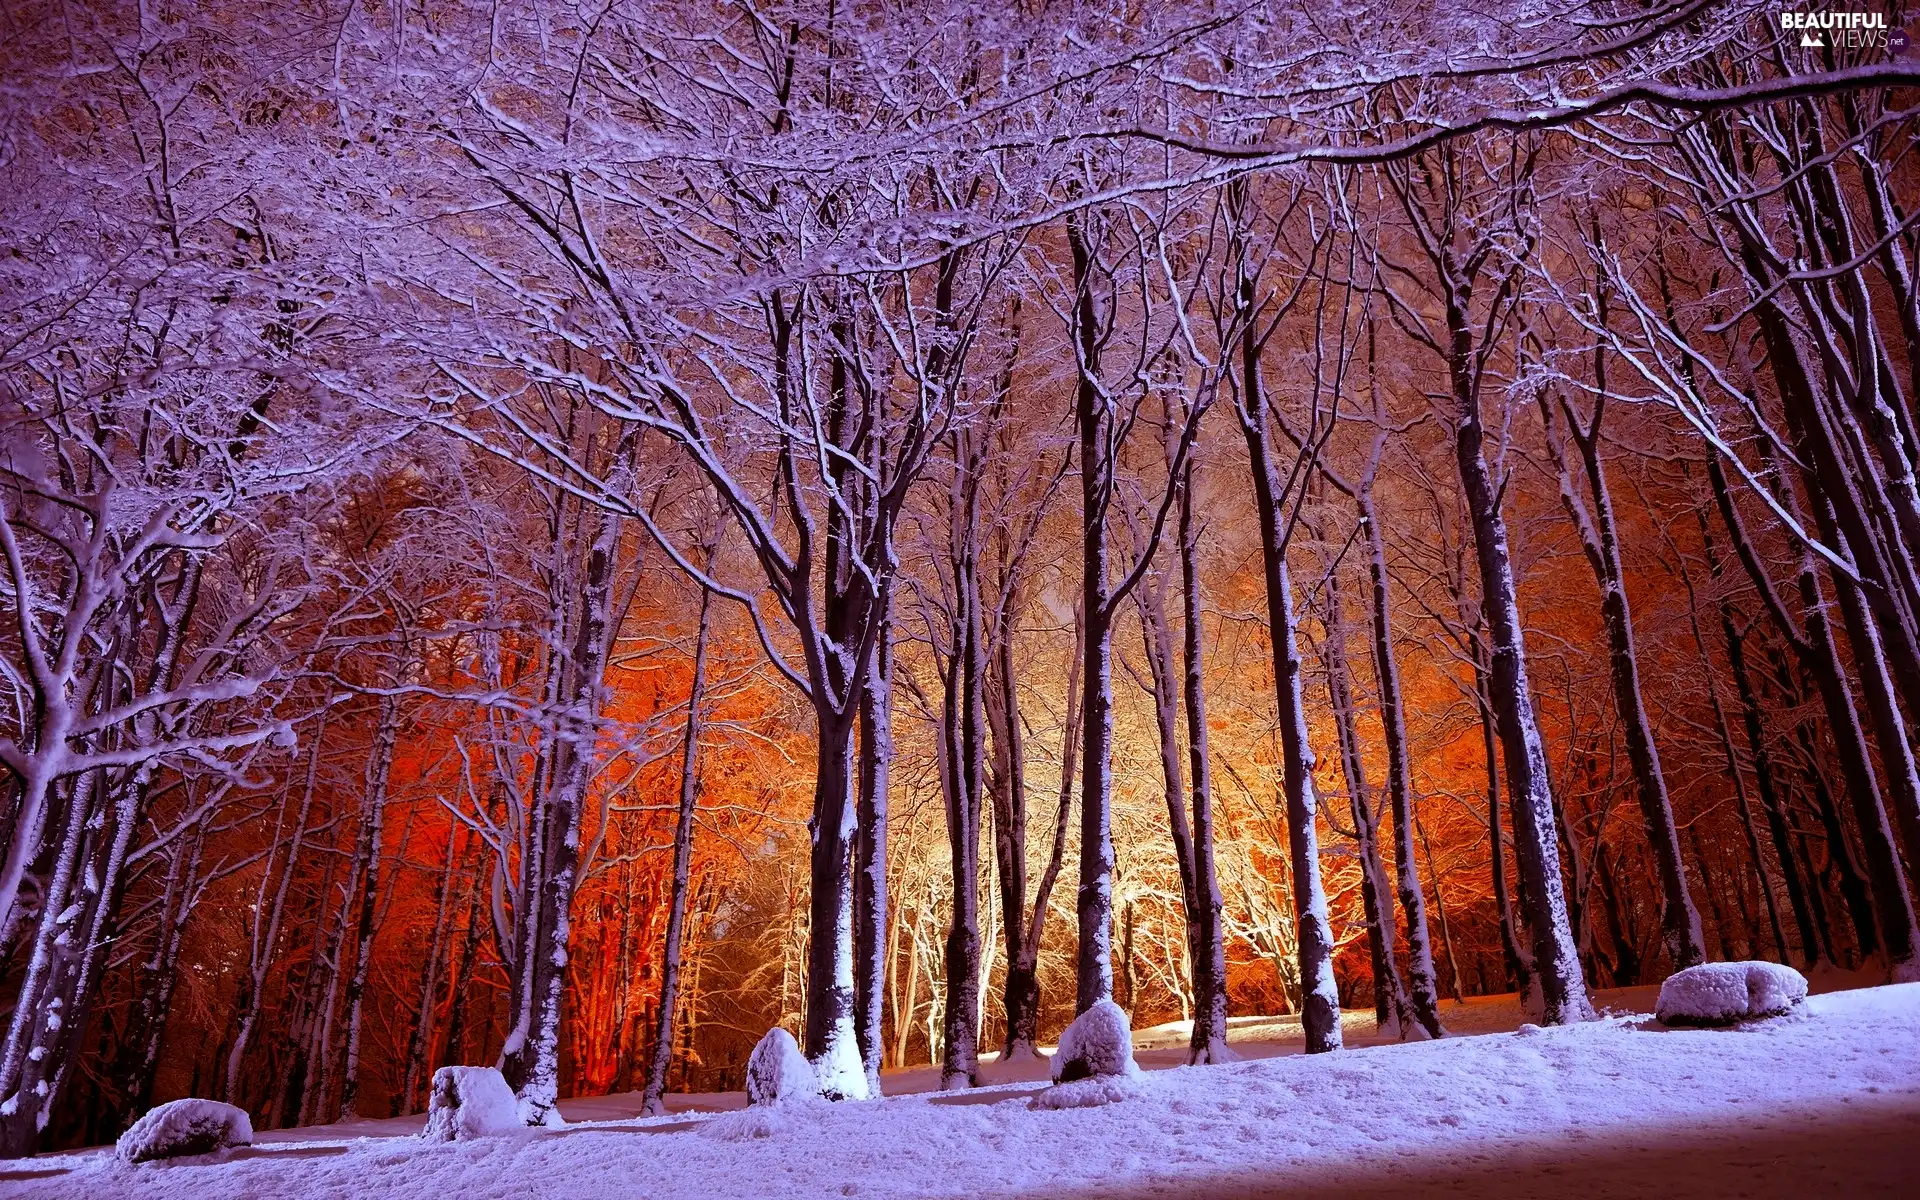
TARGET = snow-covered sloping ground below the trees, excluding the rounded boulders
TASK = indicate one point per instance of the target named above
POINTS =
(1825, 1101)
